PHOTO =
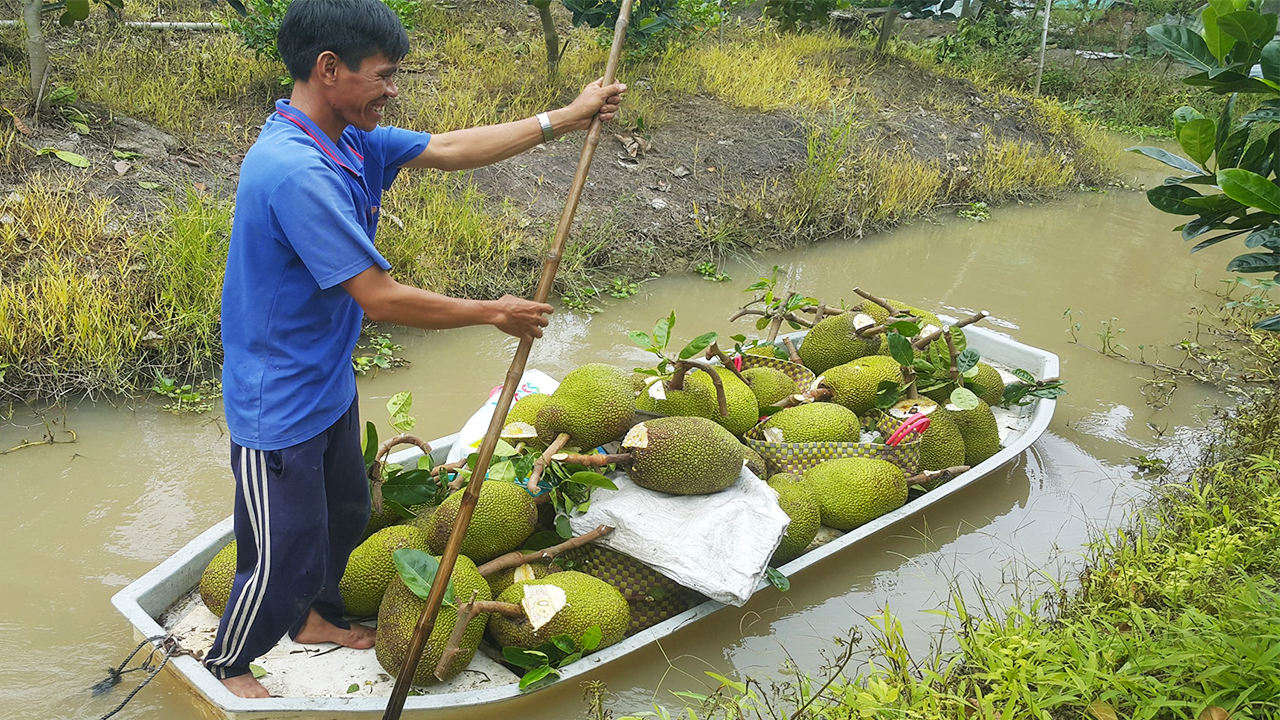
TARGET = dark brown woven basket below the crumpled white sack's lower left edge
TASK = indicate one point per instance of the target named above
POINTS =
(652, 596)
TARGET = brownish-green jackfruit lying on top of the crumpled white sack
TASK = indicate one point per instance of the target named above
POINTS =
(683, 455)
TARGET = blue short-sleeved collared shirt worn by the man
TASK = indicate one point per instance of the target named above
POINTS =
(307, 212)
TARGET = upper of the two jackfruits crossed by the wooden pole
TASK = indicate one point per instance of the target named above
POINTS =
(505, 517)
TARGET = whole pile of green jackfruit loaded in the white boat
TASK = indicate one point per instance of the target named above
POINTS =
(678, 432)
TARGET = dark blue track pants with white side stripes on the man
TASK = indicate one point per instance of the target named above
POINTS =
(300, 512)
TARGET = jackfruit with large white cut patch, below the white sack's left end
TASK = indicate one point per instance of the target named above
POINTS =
(591, 601)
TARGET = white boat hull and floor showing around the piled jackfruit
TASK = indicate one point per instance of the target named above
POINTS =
(156, 603)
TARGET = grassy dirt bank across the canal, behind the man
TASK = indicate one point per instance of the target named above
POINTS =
(117, 198)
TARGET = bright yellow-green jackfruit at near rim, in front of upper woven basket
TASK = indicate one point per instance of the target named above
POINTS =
(854, 491)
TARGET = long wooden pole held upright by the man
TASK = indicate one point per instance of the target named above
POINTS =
(427, 622)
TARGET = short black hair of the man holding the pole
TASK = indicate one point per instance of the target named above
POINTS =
(353, 30)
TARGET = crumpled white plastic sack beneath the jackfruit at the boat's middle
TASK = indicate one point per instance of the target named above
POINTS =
(719, 545)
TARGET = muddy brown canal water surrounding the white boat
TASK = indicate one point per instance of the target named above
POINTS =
(79, 522)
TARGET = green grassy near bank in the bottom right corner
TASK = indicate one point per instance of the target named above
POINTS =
(1174, 616)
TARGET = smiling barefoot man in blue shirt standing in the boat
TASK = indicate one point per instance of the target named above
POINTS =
(301, 274)
